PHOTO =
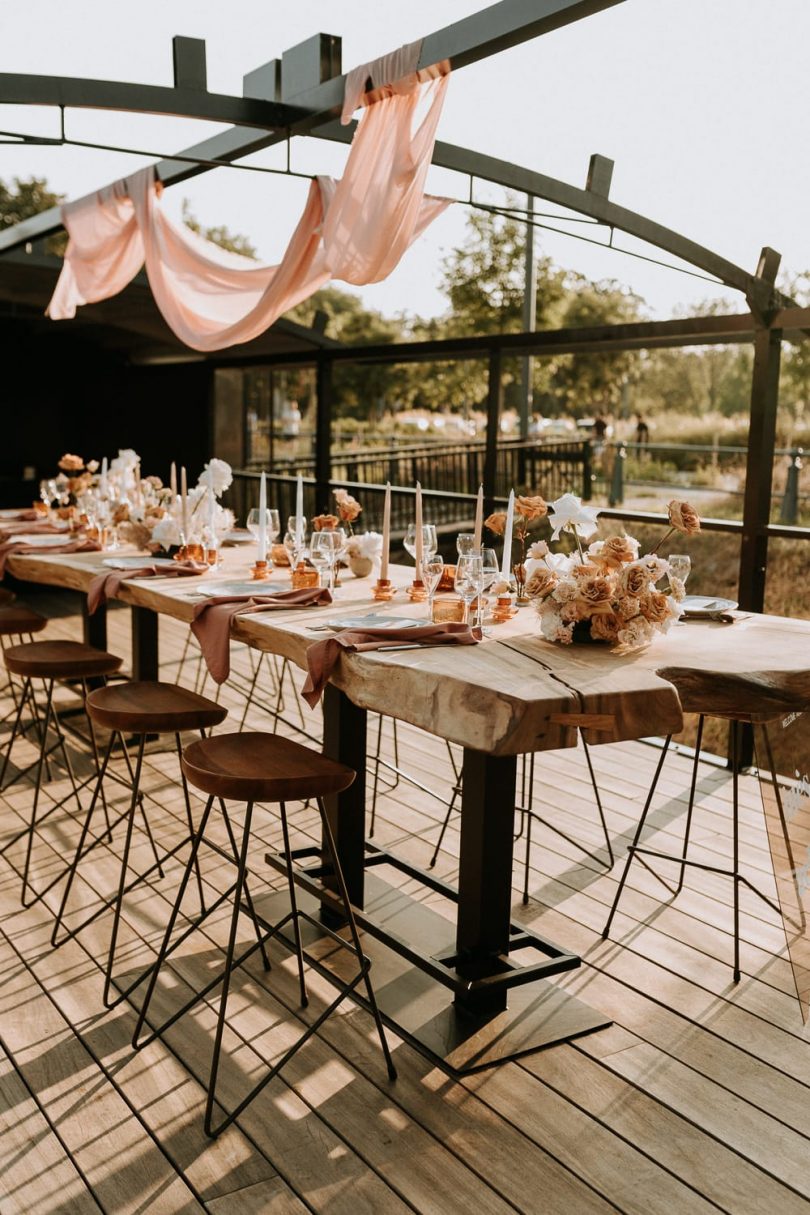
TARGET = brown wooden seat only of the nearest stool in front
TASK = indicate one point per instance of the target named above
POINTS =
(263, 768)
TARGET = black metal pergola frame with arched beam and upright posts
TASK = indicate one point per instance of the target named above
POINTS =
(302, 94)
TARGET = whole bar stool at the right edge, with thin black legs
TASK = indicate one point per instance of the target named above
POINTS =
(754, 698)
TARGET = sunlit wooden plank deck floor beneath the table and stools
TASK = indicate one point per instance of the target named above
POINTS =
(696, 1099)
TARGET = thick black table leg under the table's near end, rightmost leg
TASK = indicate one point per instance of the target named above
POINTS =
(485, 873)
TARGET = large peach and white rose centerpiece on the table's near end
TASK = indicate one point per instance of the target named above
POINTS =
(608, 592)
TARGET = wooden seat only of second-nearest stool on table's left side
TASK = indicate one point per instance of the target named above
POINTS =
(151, 708)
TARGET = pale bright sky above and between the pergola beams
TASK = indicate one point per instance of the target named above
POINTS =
(701, 104)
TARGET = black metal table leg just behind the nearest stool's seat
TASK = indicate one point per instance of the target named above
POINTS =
(344, 739)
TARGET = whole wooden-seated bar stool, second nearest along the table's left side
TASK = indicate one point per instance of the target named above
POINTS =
(141, 709)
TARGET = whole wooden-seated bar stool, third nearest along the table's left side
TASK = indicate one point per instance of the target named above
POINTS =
(52, 663)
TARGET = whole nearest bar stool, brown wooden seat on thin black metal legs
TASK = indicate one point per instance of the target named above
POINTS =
(265, 768)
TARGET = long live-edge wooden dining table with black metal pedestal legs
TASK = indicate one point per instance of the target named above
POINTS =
(463, 998)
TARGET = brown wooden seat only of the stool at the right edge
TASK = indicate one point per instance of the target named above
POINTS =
(749, 697)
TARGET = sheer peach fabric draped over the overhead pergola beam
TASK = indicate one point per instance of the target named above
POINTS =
(355, 230)
